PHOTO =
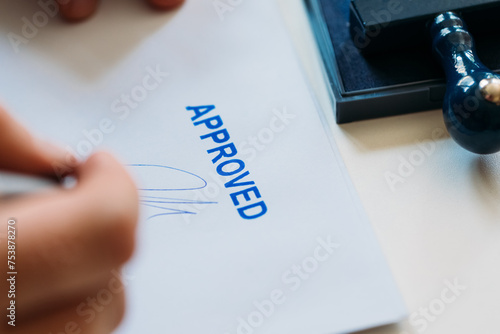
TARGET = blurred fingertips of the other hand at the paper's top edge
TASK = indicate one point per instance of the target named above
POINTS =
(75, 10)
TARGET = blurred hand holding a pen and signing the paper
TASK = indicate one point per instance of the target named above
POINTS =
(70, 243)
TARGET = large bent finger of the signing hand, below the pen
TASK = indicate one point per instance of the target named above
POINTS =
(68, 239)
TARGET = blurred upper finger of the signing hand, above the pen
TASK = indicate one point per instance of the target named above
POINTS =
(21, 152)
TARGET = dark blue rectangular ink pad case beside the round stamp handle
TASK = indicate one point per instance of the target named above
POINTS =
(395, 72)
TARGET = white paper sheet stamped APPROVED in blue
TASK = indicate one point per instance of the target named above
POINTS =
(249, 223)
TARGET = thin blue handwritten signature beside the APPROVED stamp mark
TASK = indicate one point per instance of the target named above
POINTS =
(158, 179)
